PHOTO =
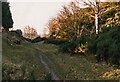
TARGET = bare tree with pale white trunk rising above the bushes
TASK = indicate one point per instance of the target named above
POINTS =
(95, 6)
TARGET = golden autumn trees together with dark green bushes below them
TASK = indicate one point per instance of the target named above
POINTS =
(90, 30)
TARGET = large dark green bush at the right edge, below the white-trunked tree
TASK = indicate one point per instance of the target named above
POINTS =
(106, 45)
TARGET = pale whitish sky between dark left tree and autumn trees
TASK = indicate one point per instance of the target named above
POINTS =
(34, 13)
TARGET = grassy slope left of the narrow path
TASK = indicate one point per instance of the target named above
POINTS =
(21, 61)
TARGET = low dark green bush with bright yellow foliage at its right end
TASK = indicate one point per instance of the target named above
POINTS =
(74, 46)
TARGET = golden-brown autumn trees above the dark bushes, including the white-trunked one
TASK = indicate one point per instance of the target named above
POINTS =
(73, 21)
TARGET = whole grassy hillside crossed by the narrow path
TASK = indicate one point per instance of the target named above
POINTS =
(23, 62)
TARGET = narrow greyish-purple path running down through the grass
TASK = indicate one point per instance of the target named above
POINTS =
(47, 67)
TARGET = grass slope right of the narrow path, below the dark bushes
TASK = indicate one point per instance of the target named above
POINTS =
(73, 67)
